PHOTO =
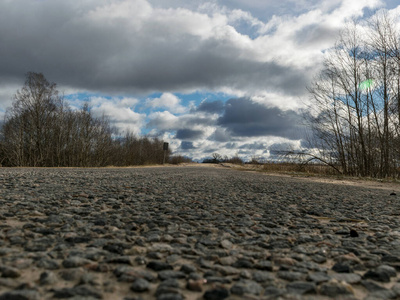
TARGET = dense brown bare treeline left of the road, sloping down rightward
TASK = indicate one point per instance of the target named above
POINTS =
(41, 130)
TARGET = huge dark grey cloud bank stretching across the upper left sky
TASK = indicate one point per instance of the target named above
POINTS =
(75, 45)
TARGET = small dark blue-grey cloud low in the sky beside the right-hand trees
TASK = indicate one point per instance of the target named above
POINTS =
(246, 118)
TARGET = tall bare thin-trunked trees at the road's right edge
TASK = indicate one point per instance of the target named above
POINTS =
(354, 113)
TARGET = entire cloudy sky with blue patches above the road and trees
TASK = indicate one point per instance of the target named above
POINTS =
(226, 76)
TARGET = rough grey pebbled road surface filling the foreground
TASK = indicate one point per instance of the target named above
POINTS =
(193, 233)
